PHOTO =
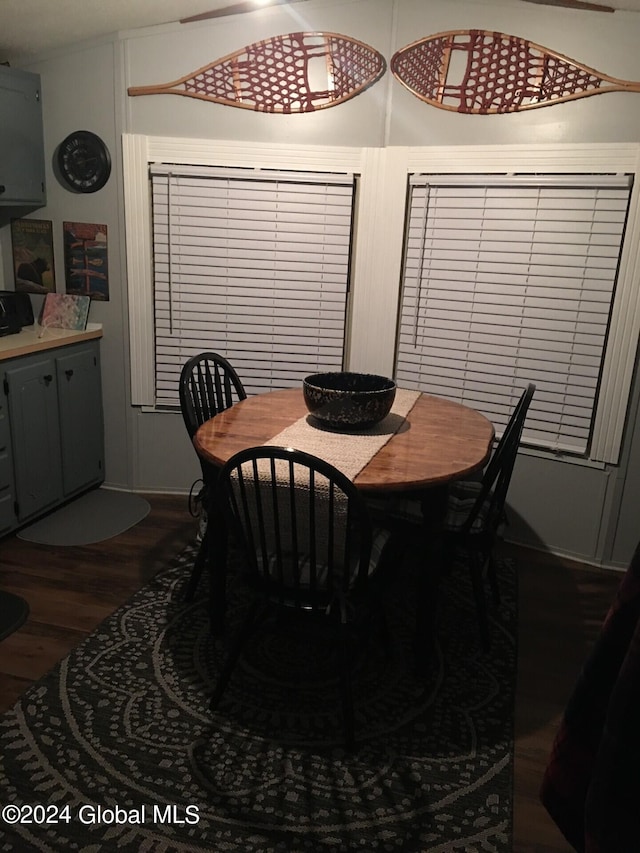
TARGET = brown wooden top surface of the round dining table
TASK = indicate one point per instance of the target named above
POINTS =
(440, 440)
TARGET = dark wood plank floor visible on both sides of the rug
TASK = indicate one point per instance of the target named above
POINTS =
(71, 590)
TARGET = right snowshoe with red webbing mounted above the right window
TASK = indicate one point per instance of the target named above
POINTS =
(482, 72)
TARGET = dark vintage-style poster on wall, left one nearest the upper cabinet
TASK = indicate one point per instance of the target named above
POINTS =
(33, 261)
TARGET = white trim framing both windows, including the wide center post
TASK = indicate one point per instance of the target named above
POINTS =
(379, 237)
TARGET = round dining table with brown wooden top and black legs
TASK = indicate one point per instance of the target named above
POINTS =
(438, 441)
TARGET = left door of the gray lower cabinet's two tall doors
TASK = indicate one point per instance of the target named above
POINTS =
(33, 412)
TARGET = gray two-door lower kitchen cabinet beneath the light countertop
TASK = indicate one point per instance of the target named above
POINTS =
(56, 422)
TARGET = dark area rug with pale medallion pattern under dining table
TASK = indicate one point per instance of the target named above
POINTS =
(116, 749)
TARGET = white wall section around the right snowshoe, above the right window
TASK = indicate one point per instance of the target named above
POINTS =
(605, 42)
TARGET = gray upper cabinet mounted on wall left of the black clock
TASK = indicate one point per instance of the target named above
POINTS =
(22, 170)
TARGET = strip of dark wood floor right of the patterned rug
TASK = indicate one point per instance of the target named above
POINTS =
(561, 608)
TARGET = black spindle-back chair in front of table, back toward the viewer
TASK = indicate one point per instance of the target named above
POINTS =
(309, 549)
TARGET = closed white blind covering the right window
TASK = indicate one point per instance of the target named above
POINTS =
(510, 281)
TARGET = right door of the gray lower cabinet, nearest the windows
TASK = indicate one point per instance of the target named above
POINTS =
(81, 421)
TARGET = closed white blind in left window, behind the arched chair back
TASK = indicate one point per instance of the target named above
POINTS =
(254, 266)
